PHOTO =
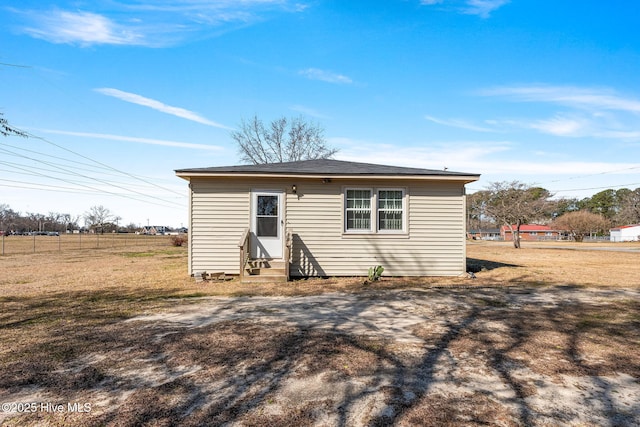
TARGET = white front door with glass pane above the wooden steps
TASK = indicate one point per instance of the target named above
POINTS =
(267, 224)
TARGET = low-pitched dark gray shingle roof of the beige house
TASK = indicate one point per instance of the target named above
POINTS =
(326, 167)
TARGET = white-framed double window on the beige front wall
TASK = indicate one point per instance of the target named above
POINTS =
(374, 210)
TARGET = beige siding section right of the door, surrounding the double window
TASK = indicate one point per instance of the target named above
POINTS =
(434, 244)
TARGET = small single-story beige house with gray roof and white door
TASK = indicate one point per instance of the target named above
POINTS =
(326, 218)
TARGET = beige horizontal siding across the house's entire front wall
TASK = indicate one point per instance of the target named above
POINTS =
(433, 245)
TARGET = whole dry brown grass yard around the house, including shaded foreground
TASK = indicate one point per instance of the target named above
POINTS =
(542, 336)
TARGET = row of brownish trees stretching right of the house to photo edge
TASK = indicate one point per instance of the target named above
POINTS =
(515, 203)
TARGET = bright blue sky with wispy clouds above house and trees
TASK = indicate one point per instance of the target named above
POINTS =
(118, 94)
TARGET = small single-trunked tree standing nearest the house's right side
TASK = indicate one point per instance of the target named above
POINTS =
(515, 203)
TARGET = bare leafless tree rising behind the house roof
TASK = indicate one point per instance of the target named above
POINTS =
(284, 140)
